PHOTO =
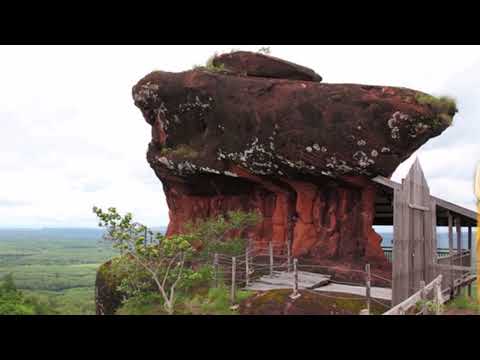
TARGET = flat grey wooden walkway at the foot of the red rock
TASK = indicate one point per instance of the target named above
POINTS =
(317, 282)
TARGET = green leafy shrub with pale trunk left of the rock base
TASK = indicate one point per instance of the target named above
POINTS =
(172, 266)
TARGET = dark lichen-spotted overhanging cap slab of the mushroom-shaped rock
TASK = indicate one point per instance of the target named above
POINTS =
(209, 122)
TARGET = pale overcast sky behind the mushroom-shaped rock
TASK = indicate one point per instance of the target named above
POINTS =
(71, 137)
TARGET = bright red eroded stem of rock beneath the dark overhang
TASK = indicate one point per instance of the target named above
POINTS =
(329, 221)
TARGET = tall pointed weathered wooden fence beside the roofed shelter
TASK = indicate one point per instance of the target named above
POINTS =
(415, 257)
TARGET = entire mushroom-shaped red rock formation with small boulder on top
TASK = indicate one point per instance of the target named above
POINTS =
(273, 138)
